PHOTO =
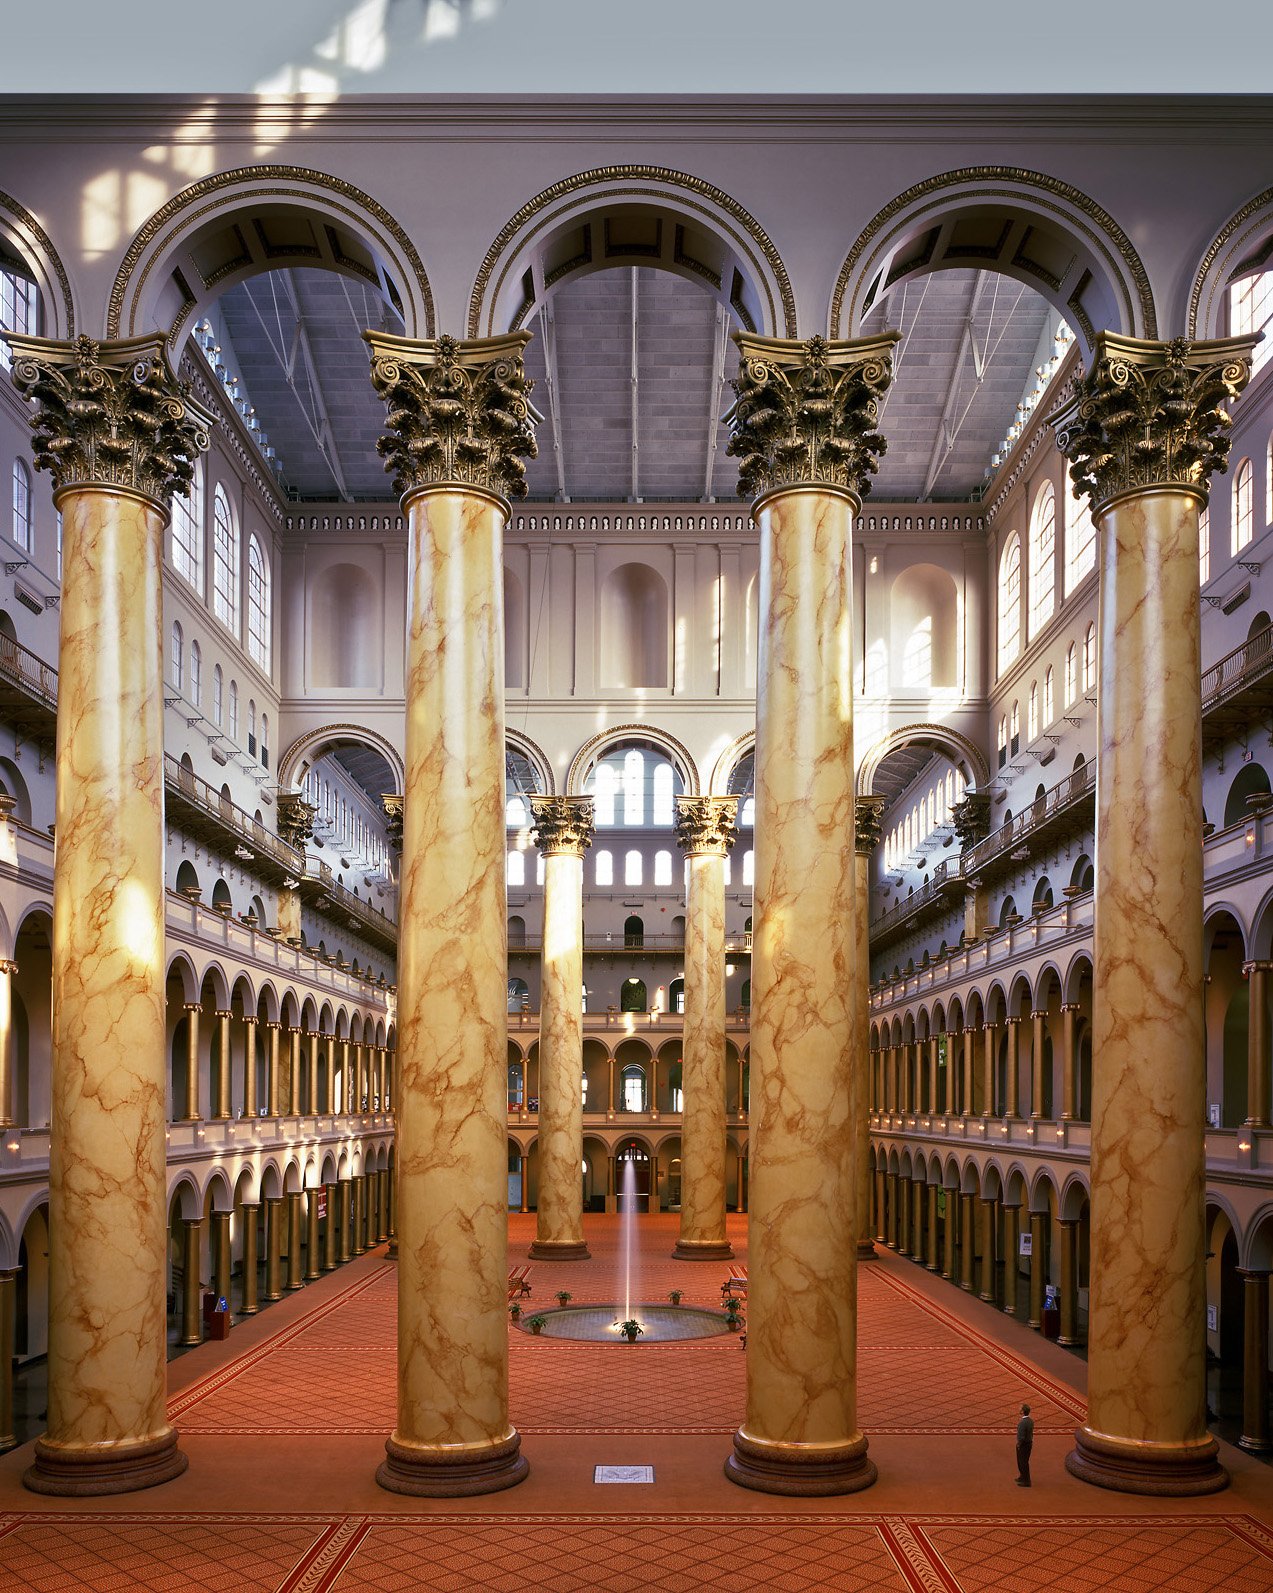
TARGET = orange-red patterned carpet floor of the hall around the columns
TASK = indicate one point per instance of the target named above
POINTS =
(284, 1425)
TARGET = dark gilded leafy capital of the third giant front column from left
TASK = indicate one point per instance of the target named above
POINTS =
(807, 412)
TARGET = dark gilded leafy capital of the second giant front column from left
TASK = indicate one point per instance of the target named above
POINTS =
(458, 413)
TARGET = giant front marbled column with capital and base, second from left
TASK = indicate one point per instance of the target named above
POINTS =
(458, 426)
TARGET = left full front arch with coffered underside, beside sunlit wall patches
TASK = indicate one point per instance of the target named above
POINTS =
(240, 224)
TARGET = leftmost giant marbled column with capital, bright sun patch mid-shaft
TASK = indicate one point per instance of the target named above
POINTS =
(119, 434)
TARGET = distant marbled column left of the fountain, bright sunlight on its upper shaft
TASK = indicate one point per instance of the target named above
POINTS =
(563, 832)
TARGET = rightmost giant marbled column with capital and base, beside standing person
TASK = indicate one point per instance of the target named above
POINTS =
(1145, 432)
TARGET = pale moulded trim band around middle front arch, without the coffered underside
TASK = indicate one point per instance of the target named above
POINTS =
(636, 182)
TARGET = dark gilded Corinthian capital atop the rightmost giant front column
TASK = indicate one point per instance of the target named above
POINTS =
(1151, 415)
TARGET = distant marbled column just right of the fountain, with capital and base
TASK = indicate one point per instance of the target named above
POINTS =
(707, 831)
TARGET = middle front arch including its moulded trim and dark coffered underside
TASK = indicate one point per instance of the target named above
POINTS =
(633, 216)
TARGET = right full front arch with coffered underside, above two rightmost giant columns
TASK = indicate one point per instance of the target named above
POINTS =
(1022, 224)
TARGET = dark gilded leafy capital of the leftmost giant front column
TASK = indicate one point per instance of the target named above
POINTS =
(111, 415)
